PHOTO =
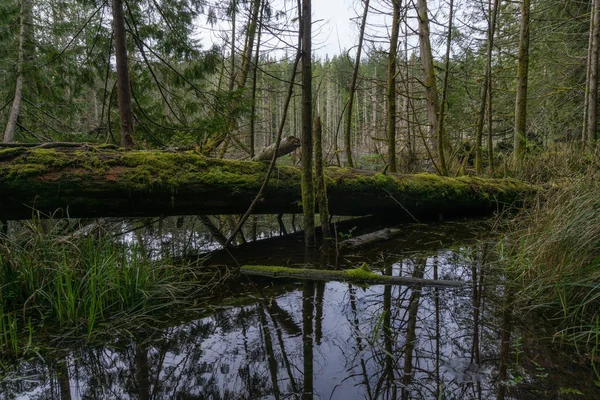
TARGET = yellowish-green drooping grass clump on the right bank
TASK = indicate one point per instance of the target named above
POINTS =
(555, 259)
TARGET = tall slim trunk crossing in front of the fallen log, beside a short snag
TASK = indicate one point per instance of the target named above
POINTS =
(308, 189)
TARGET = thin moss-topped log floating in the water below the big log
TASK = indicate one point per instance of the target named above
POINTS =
(356, 275)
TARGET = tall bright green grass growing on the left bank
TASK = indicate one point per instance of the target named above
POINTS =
(50, 282)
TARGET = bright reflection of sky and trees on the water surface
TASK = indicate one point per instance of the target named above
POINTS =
(307, 341)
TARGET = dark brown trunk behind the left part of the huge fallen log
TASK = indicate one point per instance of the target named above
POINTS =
(123, 83)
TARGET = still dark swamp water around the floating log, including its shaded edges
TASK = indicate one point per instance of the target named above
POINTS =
(264, 339)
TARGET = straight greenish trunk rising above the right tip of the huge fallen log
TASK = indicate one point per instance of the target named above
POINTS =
(522, 74)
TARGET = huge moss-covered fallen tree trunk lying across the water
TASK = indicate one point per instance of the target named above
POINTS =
(92, 182)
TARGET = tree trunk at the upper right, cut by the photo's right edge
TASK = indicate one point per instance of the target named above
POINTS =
(592, 110)
